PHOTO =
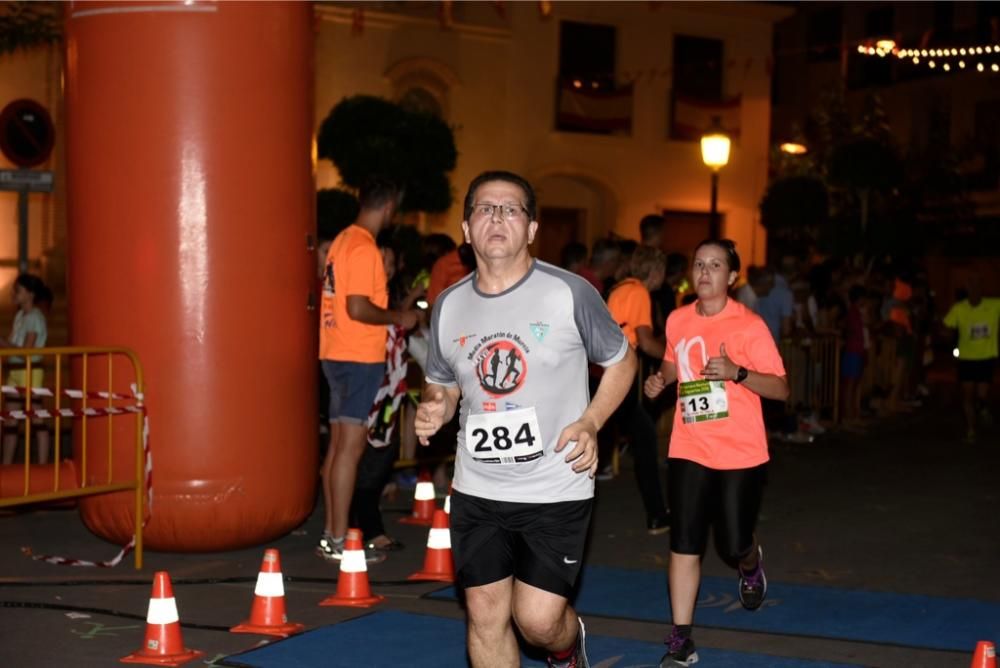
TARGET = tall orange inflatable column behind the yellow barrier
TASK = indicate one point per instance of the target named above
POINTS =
(190, 195)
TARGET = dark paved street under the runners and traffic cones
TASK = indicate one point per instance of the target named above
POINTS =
(908, 508)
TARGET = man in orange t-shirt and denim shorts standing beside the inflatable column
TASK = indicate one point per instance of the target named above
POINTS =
(353, 317)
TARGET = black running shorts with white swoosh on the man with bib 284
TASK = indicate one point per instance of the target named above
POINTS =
(540, 544)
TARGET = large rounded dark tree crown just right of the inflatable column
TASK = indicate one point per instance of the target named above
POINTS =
(366, 135)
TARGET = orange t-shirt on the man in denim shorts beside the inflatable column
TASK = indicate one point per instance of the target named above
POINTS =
(353, 267)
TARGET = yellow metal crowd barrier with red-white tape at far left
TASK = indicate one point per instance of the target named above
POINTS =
(55, 403)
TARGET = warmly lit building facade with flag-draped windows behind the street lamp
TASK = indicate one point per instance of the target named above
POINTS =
(582, 98)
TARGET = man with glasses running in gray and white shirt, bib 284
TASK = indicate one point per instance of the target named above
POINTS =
(523, 487)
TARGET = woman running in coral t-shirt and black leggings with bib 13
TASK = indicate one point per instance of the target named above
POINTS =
(725, 360)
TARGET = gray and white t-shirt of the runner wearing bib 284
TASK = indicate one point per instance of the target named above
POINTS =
(520, 360)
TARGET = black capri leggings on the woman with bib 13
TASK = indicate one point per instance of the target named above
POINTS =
(701, 497)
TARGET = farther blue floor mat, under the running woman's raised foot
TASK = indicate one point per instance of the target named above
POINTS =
(822, 612)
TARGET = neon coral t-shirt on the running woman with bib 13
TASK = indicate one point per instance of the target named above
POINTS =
(739, 440)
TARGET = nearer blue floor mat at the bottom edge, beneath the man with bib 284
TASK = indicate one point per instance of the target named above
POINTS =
(392, 639)
